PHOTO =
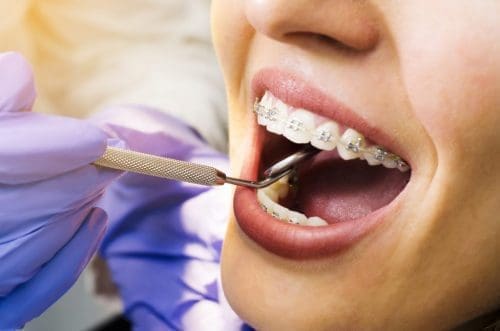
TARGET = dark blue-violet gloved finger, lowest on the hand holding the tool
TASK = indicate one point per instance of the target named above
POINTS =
(29, 300)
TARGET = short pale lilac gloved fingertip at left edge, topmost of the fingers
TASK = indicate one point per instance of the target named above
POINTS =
(17, 89)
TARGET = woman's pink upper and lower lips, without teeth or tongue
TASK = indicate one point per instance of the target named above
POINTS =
(294, 241)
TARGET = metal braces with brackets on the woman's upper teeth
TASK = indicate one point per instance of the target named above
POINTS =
(355, 146)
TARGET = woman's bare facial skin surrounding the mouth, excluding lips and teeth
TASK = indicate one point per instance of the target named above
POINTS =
(428, 73)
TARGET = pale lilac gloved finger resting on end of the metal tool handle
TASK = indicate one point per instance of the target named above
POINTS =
(36, 146)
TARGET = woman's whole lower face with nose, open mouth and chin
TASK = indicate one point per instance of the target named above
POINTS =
(402, 83)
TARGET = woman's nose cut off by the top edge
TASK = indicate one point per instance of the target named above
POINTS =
(345, 23)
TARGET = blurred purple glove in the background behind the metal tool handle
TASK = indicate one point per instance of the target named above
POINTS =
(164, 240)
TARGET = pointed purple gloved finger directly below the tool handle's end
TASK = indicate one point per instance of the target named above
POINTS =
(25, 208)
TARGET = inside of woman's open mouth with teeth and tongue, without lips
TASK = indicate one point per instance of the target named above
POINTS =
(348, 179)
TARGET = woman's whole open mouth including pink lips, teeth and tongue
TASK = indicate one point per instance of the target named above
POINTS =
(335, 198)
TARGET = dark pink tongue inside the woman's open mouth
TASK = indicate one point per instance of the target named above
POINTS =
(338, 190)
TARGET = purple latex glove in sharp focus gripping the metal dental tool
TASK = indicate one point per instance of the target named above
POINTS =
(49, 226)
